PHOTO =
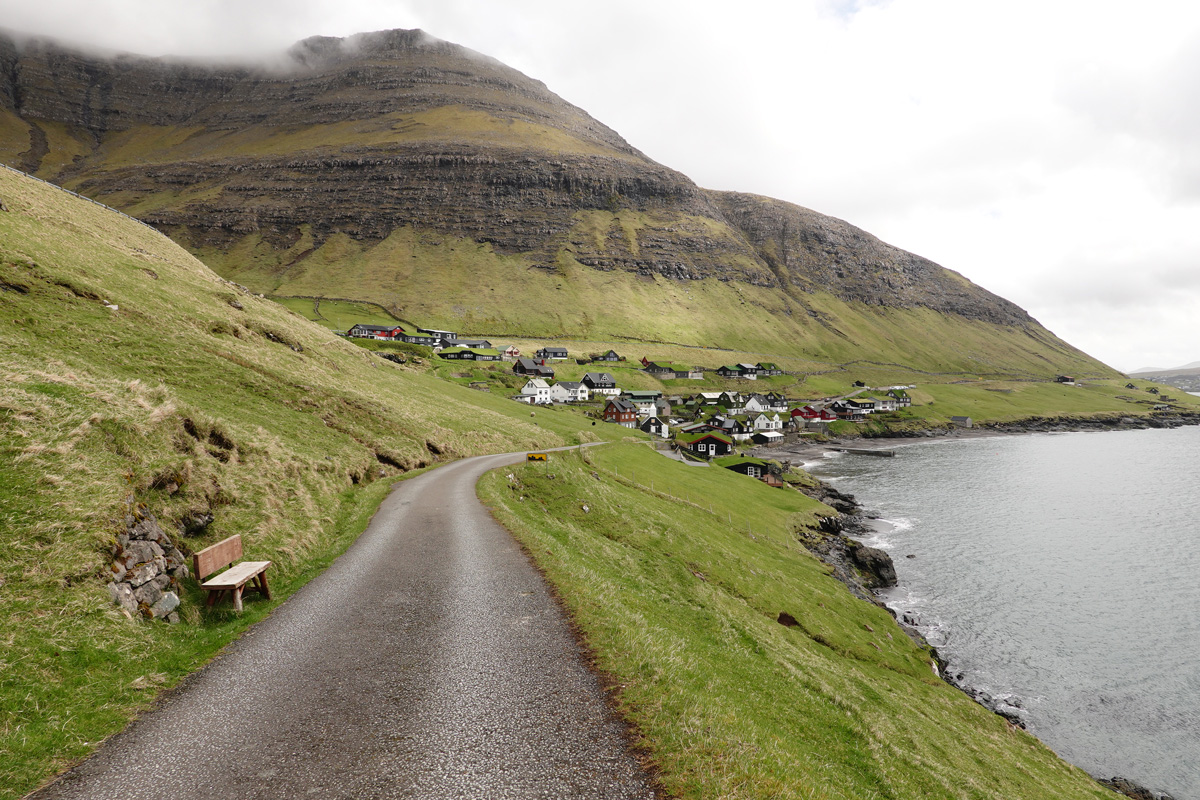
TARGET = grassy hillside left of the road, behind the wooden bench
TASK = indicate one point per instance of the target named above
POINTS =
(131, 370)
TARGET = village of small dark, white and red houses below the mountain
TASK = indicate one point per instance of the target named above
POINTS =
(721, 428)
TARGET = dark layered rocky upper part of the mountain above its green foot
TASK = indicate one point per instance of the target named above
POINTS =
(398, 130)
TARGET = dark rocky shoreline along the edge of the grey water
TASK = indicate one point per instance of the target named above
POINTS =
(866, 570)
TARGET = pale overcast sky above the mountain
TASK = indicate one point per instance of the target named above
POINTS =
(1047, 151)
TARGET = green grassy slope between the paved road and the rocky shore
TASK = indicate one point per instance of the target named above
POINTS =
(677, 591)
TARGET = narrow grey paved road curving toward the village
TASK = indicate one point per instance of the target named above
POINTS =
(429, 661)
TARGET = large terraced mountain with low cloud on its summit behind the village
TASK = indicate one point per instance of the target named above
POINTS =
(454, 191)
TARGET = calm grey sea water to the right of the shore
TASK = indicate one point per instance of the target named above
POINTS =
(1063, 574)
